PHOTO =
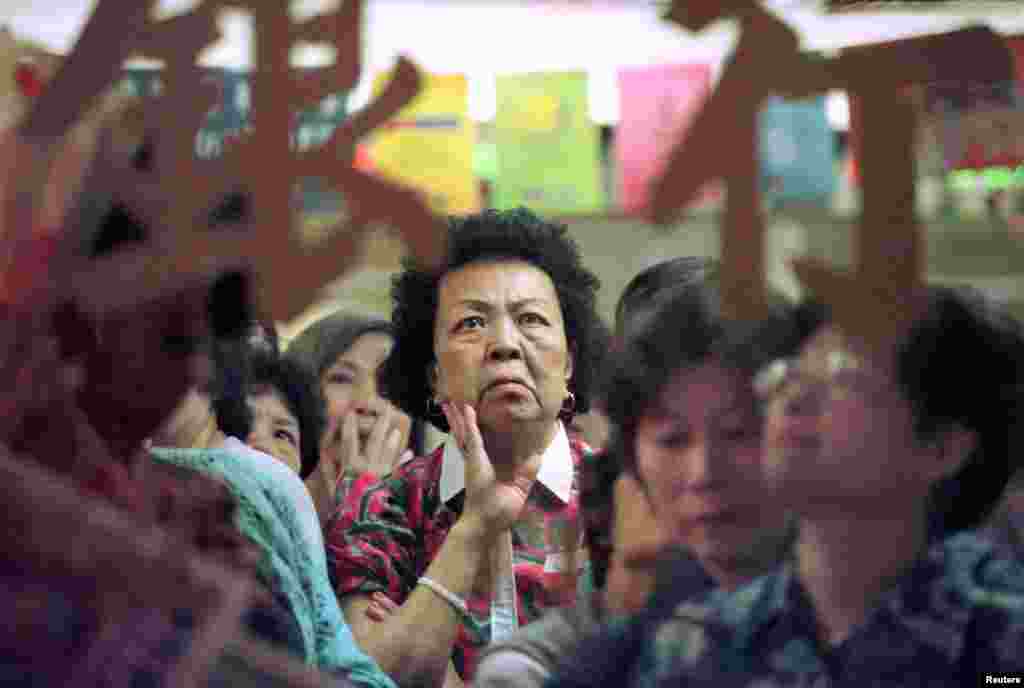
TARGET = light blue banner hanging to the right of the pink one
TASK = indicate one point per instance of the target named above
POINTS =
(798, 151)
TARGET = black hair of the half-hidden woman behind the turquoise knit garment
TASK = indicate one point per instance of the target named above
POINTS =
(252, 370)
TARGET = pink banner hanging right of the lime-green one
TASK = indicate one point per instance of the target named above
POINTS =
(658, 105)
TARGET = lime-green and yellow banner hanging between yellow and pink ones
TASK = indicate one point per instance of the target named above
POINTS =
(548, 150)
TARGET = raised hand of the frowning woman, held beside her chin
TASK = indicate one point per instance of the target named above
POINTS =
(494, 505)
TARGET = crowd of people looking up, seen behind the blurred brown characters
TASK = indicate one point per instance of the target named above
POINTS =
(777, 505)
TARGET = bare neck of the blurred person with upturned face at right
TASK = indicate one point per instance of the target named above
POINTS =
(846, 566)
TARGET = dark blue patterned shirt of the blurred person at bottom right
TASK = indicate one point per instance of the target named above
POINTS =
(957, 618)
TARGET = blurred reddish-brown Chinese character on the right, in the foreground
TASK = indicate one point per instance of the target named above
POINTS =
(881, 298)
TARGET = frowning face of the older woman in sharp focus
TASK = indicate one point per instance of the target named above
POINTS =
(500, 345)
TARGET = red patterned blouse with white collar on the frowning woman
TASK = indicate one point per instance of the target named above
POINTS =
(387, 536)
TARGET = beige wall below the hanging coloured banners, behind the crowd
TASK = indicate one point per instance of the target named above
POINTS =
(979, 253)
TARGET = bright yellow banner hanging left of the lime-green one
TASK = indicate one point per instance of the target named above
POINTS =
(430, 145)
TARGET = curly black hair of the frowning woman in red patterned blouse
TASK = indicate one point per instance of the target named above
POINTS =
(491, 236)
